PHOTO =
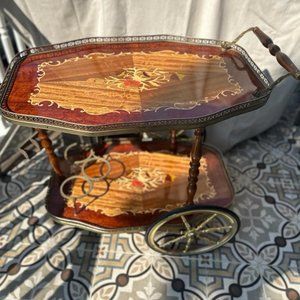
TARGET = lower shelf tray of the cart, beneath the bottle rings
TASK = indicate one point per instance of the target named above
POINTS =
(143, 183)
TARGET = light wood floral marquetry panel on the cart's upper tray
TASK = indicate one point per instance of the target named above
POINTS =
(100, 83)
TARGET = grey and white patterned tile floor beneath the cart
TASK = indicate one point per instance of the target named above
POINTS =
(42, 260)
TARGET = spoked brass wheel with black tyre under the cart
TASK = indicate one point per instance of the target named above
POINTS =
(192, 230)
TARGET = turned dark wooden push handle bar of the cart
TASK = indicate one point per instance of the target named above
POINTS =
(282, 58)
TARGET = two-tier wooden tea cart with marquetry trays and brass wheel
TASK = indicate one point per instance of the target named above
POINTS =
(120, 85)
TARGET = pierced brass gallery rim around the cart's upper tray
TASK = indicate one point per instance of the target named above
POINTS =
(90, 130)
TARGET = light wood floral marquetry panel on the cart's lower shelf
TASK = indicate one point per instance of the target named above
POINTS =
(151, 182)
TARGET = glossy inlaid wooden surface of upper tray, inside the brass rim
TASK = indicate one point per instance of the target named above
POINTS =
(129, 83)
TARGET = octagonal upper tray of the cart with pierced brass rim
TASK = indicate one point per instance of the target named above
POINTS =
(115, 85)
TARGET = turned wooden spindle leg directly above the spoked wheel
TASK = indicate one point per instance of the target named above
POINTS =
(196, 154)
